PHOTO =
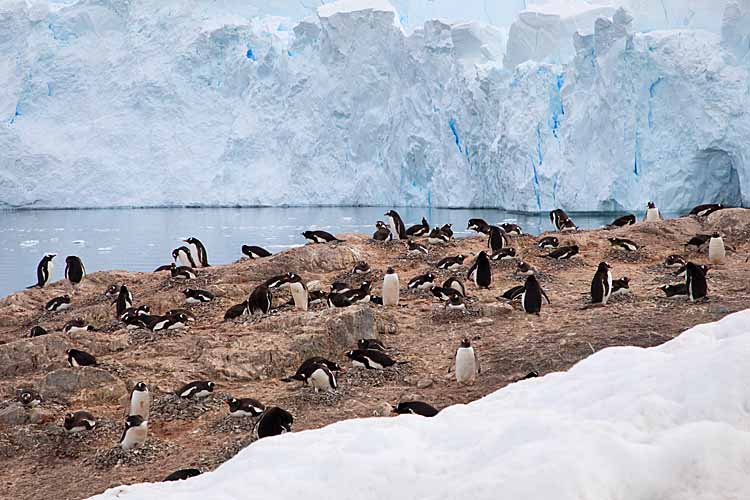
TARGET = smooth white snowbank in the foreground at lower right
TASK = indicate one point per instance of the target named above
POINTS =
(669, 422)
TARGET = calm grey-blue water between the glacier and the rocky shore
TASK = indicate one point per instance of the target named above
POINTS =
(143, 239)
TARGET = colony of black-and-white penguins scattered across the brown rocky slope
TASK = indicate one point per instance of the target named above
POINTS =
(468, 273)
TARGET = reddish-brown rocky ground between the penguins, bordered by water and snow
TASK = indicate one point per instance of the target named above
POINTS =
(247, 357)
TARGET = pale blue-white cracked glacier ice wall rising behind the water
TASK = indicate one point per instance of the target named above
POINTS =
(107, 103)
